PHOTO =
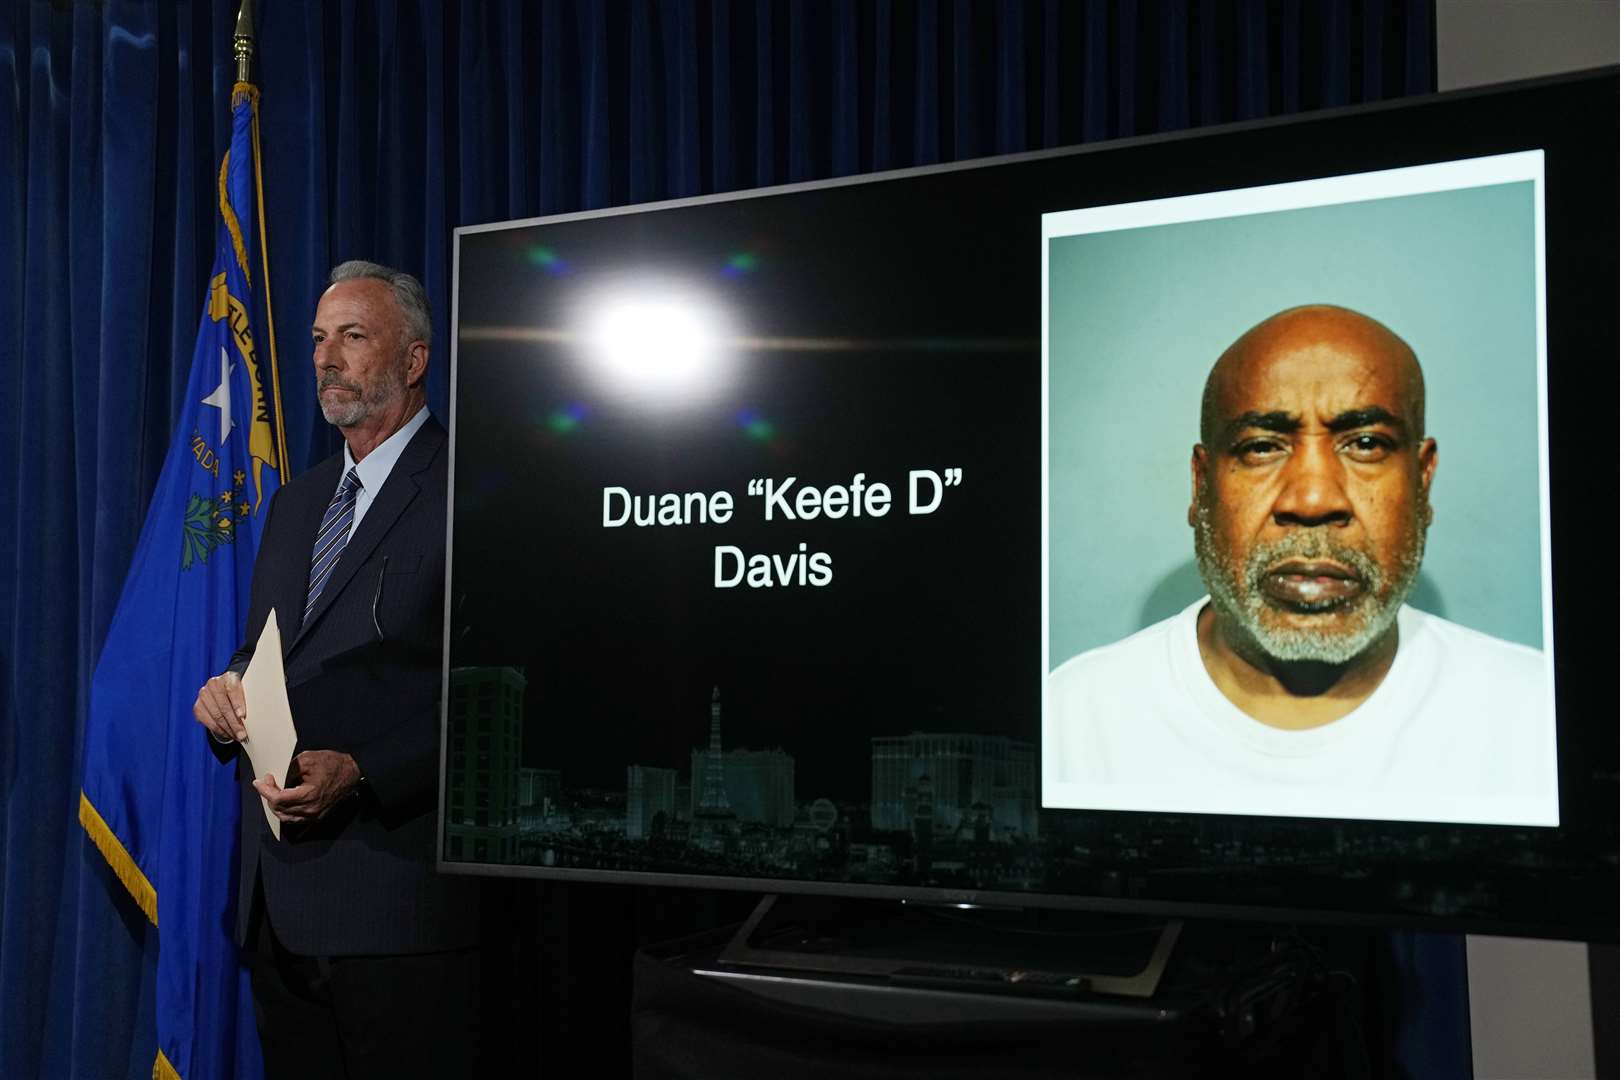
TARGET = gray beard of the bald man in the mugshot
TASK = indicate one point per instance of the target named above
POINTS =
(1245, 606)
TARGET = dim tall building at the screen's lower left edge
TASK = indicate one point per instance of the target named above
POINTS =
(482, 794)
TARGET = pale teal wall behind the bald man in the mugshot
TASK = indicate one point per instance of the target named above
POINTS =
(1138, 317)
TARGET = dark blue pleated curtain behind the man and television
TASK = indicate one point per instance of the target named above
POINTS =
(385, 127)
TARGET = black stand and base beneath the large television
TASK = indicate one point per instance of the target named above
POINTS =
(814, 987)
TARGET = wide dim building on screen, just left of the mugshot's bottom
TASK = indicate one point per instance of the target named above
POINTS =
(968, 776)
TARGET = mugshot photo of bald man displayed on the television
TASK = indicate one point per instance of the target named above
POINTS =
(1295, 493)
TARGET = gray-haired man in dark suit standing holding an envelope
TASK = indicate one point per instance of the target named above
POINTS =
(362, 955)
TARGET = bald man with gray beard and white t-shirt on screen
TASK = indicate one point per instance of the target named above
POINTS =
(1303, 679)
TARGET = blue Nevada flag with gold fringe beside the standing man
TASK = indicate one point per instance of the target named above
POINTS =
(155, 799)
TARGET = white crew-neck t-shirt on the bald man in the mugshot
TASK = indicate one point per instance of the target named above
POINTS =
(1460, 729)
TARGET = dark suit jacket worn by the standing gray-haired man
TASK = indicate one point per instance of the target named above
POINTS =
(362, 678)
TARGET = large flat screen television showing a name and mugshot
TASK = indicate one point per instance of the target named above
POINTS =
(1211, 524)
